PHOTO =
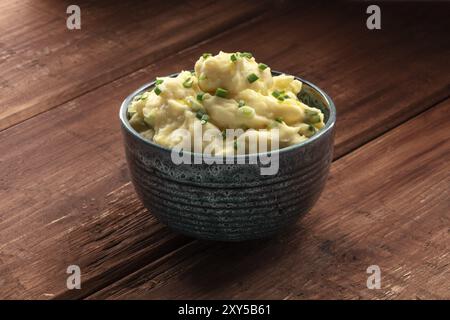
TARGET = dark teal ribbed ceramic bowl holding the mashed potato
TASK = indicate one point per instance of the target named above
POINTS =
(232, 202)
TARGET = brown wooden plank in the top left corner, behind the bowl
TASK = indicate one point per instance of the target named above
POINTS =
(44, 64)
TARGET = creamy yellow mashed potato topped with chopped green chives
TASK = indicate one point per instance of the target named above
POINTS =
(226, 91)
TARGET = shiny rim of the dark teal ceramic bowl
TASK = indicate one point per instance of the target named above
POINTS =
(329, 125)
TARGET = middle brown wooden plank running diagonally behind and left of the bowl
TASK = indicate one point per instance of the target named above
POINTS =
(65, 192)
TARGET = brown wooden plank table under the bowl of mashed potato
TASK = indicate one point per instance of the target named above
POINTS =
(65, 192)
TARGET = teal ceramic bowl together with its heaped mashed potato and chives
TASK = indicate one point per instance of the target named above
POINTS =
(232, 201)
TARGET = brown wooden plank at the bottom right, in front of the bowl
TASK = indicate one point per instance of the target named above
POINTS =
(385, 204)
